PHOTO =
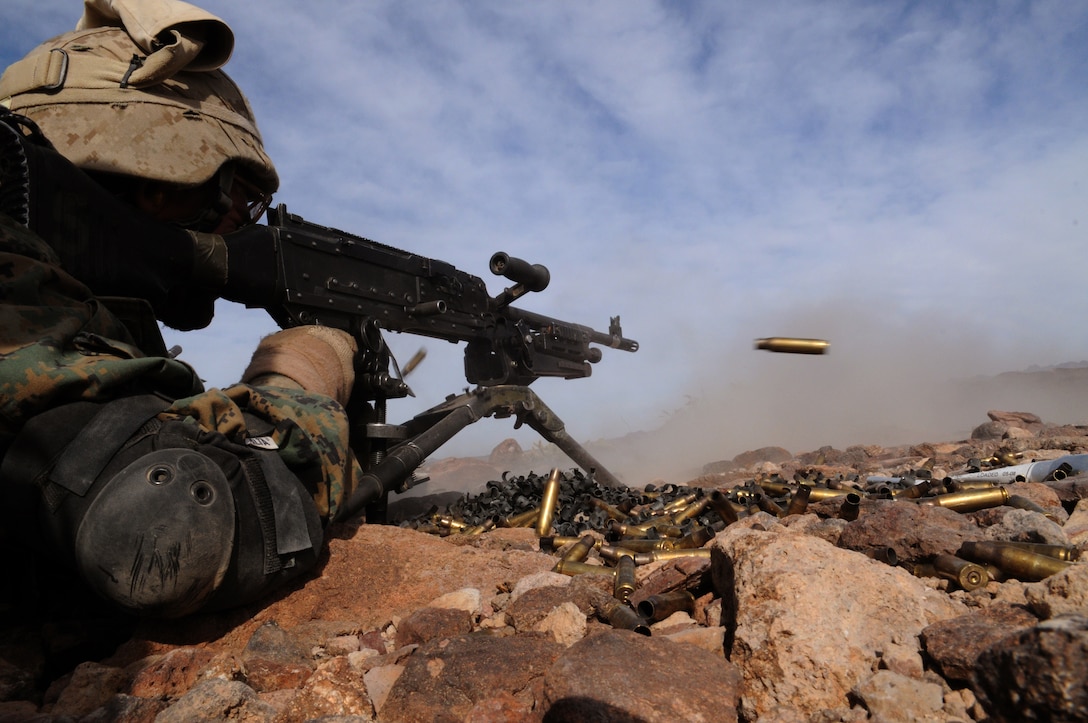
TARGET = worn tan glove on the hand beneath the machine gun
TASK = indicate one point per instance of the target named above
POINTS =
(318, 359)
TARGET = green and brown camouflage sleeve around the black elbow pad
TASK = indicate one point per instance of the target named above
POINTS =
(60, 345)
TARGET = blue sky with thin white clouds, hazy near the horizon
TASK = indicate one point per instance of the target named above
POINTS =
(908, 180)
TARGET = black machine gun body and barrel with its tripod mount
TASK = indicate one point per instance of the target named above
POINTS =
(330, 278)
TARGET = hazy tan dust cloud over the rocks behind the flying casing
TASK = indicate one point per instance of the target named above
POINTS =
(887, 380)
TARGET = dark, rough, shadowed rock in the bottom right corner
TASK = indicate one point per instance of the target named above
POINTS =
(1040, 675)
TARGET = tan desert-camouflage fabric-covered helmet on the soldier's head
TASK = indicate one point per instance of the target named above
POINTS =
(180, 129)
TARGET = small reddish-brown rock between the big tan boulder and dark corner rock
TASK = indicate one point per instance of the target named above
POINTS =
(955, 645)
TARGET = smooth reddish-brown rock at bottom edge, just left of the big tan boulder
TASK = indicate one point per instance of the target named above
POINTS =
(620, 676)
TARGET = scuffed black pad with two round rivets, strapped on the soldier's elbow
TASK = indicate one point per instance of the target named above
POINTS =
(163, 519)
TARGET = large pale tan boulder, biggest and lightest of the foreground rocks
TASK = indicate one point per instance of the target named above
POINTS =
(773, 583)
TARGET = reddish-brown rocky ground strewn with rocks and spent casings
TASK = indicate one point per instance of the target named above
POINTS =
(822, 610)
